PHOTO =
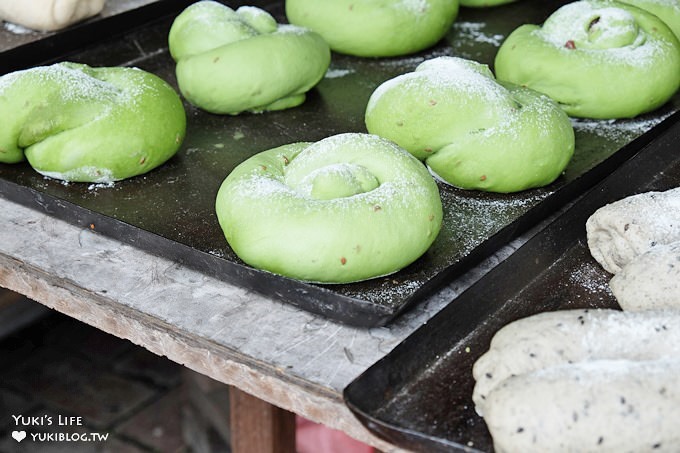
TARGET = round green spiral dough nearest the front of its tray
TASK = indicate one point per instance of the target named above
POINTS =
(347, 208)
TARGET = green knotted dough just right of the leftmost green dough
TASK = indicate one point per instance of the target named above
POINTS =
(230, 62)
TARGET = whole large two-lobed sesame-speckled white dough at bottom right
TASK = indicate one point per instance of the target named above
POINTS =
(582, 380)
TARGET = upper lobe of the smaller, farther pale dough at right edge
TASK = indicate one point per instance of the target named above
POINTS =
(623, 230)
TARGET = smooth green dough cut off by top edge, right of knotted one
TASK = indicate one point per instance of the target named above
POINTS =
(375, 28)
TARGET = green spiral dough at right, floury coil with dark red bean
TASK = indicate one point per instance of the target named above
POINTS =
(597, 58)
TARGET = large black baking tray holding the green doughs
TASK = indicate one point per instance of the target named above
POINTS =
(170, 211)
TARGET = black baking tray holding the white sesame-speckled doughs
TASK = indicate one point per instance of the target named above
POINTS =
(419, 396)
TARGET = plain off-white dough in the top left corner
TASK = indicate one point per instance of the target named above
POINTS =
(48, 15)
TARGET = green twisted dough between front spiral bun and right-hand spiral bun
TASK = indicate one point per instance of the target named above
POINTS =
(471, 131)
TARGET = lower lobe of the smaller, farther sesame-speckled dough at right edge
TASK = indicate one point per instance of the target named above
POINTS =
(650, 281)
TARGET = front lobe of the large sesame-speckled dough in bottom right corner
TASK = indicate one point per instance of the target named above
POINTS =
(600, 406)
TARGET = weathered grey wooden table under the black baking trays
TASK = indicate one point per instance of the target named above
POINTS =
(281, 355)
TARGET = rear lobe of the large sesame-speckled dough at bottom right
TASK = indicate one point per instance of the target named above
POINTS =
(571, 336)
